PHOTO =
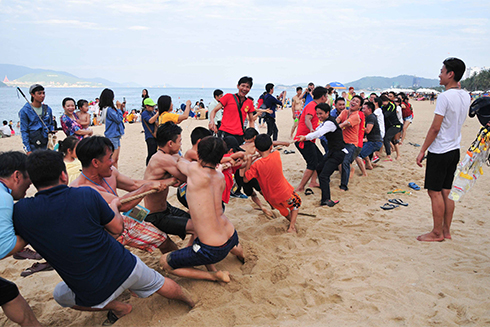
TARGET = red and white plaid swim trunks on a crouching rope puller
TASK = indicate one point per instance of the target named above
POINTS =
(143, 236)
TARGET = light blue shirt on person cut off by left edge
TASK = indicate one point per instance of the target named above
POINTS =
(7, 232)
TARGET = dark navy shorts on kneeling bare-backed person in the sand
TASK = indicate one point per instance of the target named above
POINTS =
(201, 254)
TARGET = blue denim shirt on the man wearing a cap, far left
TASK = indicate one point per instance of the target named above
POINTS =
(29, 121)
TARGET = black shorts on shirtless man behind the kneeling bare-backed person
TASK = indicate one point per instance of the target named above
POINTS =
(172, 221)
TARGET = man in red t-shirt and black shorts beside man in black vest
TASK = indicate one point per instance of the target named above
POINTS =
(308, 122)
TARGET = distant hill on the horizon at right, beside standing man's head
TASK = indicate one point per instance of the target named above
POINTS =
(402, 81)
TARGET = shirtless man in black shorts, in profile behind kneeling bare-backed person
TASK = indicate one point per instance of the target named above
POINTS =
(163, 164)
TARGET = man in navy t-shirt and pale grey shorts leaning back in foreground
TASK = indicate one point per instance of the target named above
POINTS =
(71, 228)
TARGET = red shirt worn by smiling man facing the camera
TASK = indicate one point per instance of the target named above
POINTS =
(230, 122)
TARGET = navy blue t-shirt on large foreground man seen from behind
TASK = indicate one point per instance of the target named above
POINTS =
(66, 226)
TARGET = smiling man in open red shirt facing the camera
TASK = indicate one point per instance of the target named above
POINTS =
(236, 108)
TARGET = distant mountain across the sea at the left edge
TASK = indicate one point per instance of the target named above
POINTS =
(25, 76)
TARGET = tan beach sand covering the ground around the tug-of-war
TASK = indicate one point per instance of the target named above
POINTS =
(351, 265)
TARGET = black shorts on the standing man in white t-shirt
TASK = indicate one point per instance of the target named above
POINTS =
(439, 172)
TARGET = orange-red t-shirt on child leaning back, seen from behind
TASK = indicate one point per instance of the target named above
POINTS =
(268, 171)
